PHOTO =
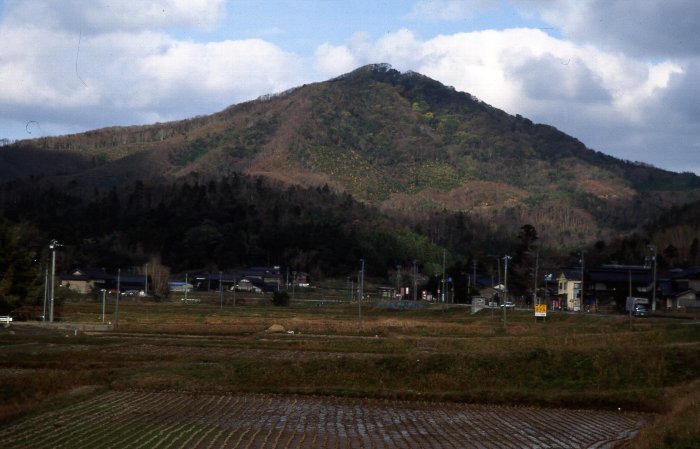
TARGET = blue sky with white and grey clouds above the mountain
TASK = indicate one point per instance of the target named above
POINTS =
(623, 76)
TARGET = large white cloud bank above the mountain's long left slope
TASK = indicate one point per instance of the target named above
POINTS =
(55, 75)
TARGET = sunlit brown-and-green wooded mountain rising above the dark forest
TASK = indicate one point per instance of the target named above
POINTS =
(402, 142)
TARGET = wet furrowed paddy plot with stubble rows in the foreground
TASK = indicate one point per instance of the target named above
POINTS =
(134, 419)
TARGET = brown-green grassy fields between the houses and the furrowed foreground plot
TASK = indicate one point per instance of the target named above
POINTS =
(430, 354)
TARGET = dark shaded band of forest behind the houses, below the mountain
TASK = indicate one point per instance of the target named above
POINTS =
(233, 222)
